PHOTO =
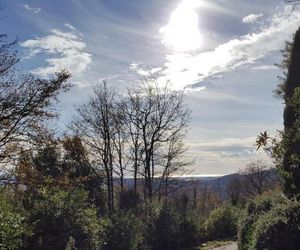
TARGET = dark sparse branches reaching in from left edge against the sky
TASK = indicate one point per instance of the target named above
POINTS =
(25, 102)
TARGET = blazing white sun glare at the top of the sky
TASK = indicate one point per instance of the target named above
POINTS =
(182, 33)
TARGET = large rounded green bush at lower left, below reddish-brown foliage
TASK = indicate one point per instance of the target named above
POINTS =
(59, 215)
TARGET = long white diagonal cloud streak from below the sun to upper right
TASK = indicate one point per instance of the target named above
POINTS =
(184, 69)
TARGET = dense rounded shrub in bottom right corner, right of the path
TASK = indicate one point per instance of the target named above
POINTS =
(270, 222)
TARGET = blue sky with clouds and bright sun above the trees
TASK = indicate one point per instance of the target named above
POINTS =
(221, 53)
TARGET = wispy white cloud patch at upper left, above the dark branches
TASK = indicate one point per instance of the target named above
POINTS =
(67, 50)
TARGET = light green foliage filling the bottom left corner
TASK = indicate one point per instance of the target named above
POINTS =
(14, 228)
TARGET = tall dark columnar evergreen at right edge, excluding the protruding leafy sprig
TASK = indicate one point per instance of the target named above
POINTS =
(290, 167)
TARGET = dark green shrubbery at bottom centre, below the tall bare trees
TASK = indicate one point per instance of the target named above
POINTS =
(152, 225)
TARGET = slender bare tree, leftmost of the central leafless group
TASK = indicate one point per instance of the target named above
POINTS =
(96, 123)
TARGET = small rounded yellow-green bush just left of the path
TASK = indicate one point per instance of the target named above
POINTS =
(222, 223)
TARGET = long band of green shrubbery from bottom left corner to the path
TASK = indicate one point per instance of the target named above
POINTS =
(62, 218)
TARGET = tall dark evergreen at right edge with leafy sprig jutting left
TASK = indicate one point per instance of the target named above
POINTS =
(285, 149)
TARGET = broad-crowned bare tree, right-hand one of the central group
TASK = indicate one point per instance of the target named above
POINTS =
(159, 121)
